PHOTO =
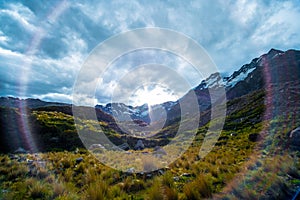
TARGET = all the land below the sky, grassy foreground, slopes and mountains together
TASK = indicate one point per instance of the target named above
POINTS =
(255, 157)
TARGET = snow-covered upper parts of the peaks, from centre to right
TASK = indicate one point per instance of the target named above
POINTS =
(246, 77)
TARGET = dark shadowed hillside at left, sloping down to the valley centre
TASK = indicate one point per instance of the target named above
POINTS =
(52, 128)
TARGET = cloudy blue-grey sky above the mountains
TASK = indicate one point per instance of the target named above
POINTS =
(44, 44)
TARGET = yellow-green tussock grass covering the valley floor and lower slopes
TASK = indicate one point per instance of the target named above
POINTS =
(236, 168)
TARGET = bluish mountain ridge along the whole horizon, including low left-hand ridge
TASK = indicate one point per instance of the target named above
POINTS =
(247, 78)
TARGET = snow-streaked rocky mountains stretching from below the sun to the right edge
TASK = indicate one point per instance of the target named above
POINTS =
(281, 66)
